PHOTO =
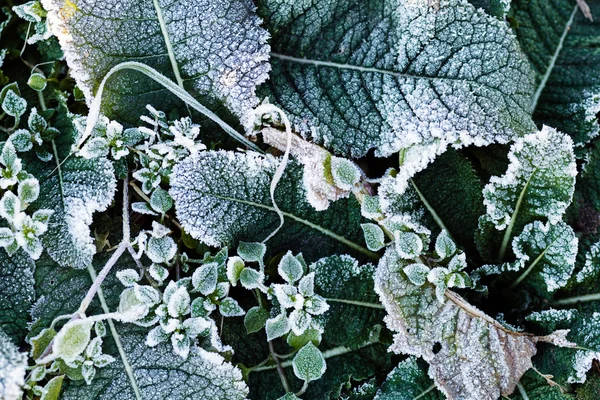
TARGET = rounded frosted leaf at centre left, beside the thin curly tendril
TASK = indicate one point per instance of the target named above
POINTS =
(235, 176)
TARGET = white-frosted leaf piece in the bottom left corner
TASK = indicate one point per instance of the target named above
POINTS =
(12, 369)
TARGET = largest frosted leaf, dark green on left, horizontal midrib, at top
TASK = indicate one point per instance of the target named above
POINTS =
(389, 75)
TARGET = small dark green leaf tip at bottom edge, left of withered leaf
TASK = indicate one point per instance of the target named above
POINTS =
(406, 382)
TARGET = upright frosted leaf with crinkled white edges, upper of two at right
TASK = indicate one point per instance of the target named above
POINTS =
(543, 166)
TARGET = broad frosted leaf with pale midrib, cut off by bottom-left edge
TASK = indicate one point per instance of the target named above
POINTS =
(161, 374)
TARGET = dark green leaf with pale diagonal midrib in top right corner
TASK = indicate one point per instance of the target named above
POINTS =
(562, 46)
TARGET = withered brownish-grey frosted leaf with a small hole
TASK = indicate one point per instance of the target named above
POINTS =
(471, 356)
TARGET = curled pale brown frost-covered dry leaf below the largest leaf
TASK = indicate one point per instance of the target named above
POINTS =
(319, 191)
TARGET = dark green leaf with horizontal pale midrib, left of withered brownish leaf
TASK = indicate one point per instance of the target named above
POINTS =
(355, 311)
